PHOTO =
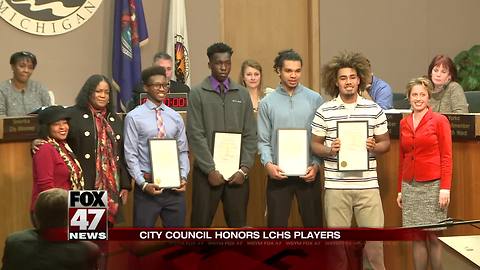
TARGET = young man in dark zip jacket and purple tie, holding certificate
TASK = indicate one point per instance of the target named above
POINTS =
(222, 133)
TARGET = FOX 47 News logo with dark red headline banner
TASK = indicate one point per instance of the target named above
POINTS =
(87, 212)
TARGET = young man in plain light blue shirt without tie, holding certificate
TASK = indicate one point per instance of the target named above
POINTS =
(284, 130)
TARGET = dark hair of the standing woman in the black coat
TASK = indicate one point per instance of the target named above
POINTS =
(83, 97)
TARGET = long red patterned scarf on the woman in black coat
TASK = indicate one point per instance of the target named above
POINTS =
(107, 177)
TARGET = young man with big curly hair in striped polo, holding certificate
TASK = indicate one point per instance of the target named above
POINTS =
(348, 132)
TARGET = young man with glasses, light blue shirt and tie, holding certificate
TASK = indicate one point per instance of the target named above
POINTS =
(150, 131)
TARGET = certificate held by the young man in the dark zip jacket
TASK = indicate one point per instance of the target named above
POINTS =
(227, 147)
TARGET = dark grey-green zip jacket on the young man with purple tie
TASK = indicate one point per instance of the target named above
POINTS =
(208, 112)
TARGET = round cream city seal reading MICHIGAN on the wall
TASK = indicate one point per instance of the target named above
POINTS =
(47, 17)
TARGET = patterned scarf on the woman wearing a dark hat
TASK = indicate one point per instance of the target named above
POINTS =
(76, 175)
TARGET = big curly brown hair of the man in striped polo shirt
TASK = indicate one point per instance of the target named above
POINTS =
(353, 60)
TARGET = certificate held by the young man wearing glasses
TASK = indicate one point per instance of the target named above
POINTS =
(164, 162)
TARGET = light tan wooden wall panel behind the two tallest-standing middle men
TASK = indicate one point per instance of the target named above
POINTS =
(260, 29)
